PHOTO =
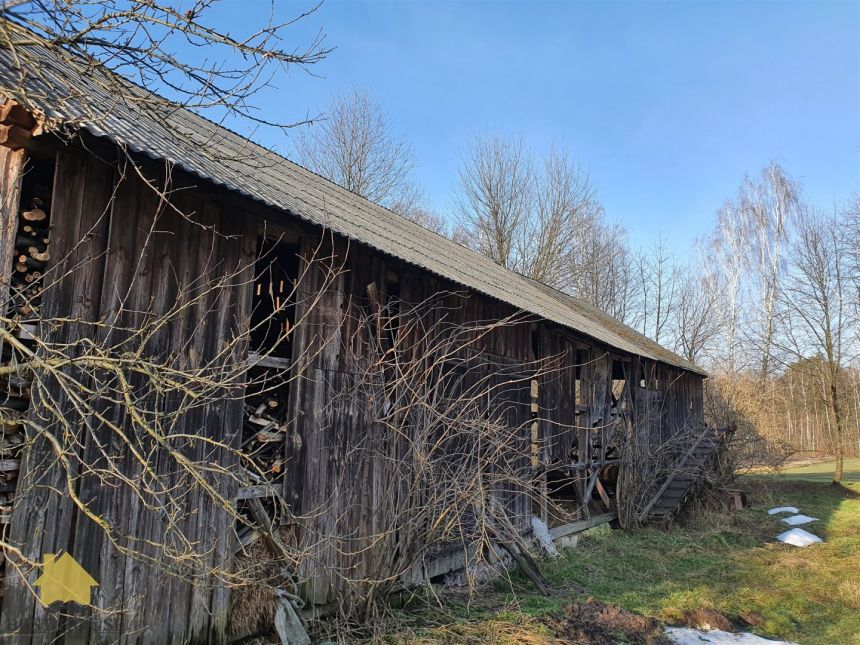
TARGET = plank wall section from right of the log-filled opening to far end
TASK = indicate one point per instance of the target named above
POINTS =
(322, 478)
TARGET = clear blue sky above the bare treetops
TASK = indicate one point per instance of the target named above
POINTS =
(667, 104)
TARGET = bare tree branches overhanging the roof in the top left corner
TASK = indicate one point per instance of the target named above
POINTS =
(152, 44)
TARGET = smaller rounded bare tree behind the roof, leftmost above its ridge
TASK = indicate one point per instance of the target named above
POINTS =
(354, 146)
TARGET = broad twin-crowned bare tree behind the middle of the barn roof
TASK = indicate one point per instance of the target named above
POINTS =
(543, 220)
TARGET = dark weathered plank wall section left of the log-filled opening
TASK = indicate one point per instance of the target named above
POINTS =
(120, 257)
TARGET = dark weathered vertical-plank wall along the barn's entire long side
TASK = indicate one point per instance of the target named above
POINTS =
(121, 272)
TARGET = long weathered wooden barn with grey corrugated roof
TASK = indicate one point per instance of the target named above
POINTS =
(107, 228)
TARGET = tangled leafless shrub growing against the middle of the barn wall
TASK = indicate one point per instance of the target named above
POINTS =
(444, 429)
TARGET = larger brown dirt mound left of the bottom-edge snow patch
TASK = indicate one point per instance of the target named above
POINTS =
(594, 623)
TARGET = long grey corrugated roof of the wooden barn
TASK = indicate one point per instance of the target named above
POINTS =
(79, 94)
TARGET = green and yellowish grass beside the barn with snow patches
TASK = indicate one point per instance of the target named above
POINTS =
(726, 562)
